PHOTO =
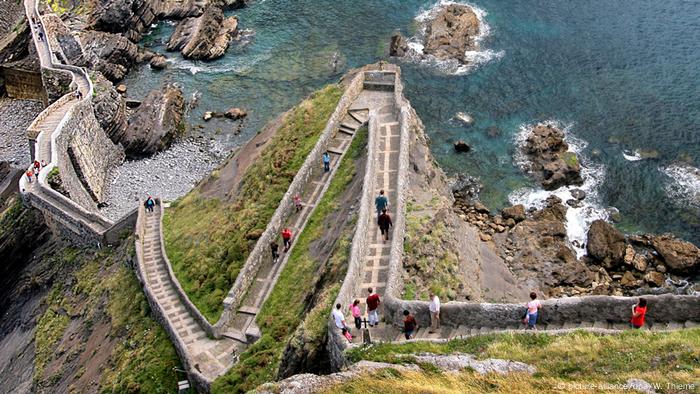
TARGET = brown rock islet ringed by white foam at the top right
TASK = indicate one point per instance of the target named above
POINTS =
(451, 33)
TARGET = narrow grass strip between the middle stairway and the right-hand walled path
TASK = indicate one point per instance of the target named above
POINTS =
(283, 311)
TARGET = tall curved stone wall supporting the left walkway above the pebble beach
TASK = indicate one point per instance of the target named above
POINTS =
(93, 152)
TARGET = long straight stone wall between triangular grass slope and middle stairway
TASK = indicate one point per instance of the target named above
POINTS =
(261, 251)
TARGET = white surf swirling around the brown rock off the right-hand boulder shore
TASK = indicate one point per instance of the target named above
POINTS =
(578, 219)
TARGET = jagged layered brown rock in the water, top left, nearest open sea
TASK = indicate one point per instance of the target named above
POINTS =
(203, 37)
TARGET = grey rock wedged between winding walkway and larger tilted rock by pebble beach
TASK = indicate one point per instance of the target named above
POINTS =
(109, 107)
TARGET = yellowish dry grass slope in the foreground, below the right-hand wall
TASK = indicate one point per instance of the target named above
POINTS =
(568, 361)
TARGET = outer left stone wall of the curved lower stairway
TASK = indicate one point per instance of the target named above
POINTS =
(201, 383)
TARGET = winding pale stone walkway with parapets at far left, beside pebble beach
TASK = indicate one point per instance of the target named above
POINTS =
(67, 209)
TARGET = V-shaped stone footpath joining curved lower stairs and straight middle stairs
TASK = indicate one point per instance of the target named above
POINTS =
(207, 350)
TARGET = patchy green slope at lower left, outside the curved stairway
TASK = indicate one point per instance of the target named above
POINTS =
(103, 288)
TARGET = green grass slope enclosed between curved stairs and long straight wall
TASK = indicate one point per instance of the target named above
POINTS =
(206, 238)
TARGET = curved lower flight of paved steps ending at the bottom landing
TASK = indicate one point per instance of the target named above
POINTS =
(212, 357)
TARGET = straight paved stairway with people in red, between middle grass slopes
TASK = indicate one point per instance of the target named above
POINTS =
(242, 324)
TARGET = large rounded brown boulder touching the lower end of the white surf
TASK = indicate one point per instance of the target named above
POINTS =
(606, 244)
